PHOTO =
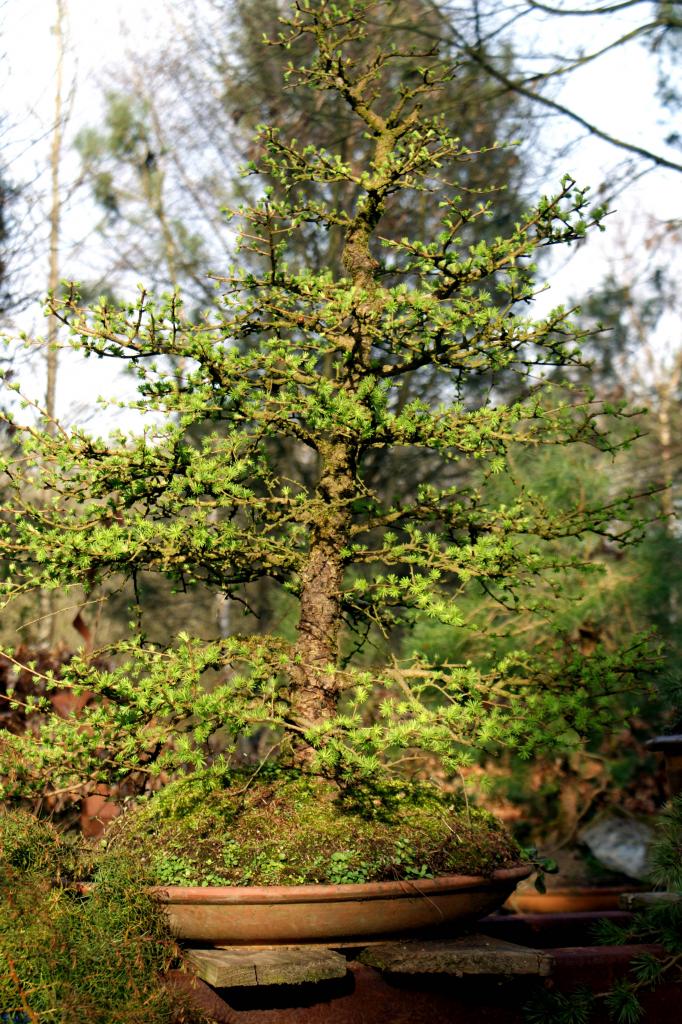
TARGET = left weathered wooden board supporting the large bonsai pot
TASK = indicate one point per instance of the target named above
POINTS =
(239, 967)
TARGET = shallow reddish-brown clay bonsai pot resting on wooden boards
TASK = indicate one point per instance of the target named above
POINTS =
(272, 915)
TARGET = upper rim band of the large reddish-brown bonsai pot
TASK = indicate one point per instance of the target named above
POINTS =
(318, 893)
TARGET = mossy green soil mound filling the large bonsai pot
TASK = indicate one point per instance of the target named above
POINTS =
(279, 830)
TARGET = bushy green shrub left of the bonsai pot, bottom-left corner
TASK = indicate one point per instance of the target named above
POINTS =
(67, 959)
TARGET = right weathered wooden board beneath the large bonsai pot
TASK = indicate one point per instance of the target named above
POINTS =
(467, 956)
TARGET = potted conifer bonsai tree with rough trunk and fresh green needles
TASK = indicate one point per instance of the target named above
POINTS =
(293, 360)
